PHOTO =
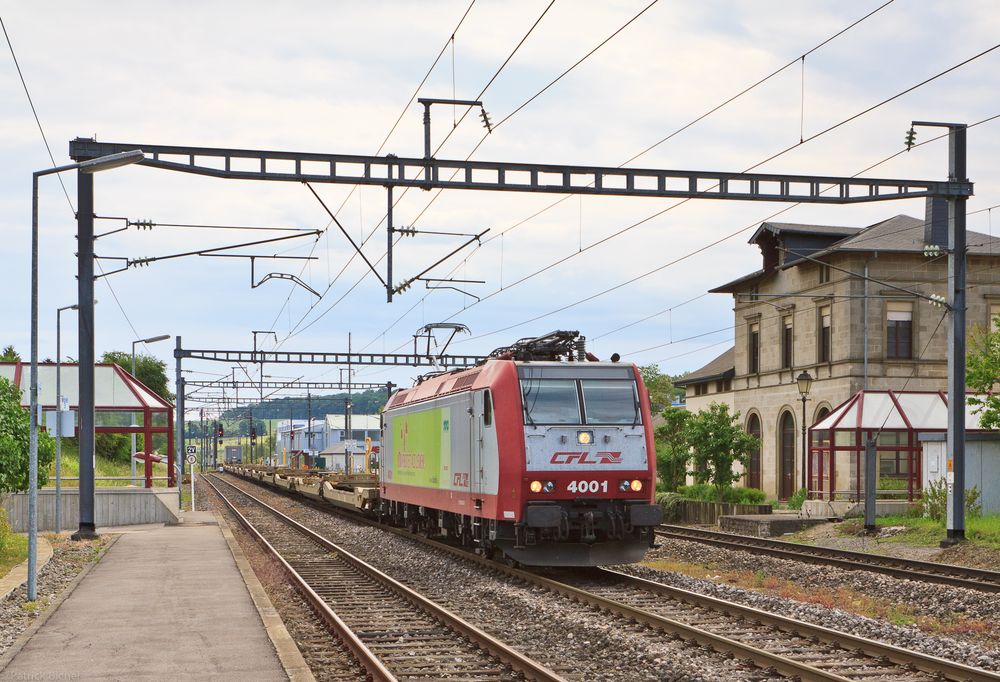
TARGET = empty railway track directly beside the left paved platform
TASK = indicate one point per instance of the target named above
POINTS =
(394, 632)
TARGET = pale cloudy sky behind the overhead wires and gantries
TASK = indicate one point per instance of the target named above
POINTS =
(334, 77)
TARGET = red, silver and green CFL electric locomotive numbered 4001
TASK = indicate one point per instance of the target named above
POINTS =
(542, 455)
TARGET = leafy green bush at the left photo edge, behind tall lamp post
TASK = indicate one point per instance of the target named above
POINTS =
(15, 433)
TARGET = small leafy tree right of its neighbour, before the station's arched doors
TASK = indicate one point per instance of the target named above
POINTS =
(718, 442)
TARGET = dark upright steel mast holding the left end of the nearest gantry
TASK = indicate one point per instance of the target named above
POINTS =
(85, 299)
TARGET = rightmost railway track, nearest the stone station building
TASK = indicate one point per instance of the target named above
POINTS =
(945, 574)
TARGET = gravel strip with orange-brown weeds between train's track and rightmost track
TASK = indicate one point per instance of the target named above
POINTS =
(926, 617)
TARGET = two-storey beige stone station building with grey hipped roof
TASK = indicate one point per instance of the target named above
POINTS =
(811, 309)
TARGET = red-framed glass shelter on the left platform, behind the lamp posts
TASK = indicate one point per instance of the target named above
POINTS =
(122, 403)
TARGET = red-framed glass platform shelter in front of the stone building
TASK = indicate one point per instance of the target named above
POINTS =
(899, 421)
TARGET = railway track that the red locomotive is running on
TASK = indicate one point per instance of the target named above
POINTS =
(789, 647)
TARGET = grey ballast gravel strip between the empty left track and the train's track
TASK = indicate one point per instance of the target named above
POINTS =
(575, 641)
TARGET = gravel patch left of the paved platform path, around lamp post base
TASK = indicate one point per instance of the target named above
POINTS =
(69, 558)
